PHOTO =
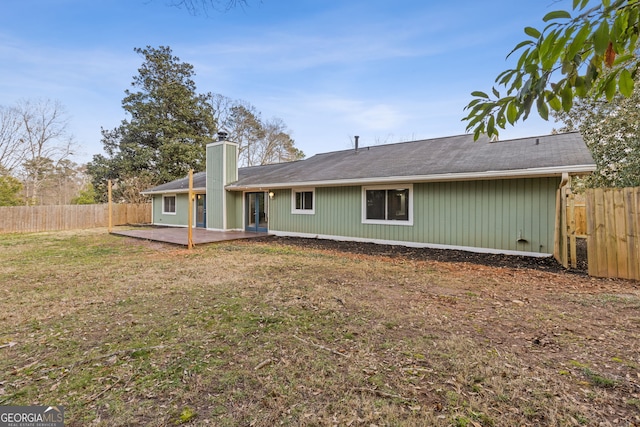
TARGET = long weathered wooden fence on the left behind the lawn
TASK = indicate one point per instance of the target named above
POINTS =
(25, 219)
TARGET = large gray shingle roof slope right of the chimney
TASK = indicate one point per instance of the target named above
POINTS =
(427, 159)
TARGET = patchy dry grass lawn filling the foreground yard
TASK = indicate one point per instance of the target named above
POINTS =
(263, 333)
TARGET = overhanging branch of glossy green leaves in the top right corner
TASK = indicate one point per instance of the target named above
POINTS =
(593, 52)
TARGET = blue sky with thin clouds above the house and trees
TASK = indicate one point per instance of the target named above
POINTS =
(387, 71)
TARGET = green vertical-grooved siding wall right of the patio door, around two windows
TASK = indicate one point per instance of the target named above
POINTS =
(484, 214)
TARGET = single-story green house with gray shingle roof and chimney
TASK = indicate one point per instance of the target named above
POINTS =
(450, 192)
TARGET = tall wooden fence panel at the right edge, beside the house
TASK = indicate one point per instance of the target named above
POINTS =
(613, 232)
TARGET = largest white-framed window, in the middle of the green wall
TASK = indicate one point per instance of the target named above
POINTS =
(388, 204)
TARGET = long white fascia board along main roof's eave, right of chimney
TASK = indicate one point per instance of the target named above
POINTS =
(466, 176)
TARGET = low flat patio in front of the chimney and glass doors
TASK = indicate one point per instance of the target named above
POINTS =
(179, 235)
